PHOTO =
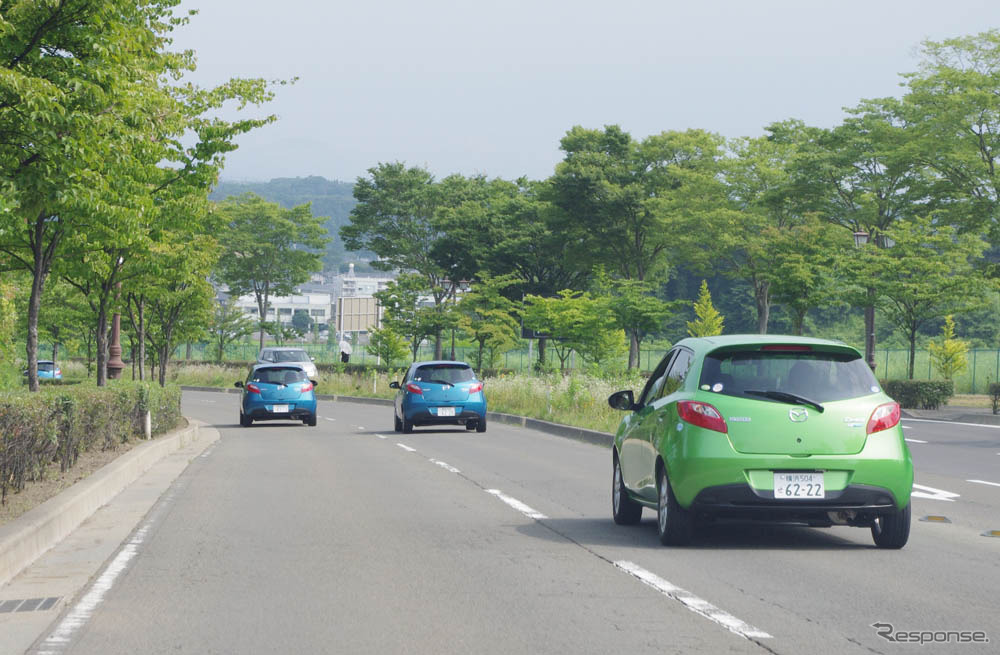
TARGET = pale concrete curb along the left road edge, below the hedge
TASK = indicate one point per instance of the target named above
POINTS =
(29, 536)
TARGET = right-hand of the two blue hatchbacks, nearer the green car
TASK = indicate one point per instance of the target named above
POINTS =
(439, 393)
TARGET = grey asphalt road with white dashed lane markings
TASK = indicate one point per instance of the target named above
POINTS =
(350, 538)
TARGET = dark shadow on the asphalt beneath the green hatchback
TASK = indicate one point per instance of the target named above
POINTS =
(715, 536)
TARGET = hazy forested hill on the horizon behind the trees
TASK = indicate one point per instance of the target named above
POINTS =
(329, 198)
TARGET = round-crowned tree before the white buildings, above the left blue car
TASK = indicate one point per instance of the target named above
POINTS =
(267, 250)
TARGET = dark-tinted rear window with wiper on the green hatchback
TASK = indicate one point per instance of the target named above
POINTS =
(817, 375)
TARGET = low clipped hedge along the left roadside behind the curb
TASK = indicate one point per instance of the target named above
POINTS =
(59, 423)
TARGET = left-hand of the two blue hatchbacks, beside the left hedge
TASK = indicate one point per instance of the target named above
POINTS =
(277, 391)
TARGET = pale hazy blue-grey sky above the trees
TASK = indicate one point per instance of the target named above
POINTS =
(475, 87)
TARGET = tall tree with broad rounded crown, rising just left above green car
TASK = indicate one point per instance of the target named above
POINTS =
(635, 206)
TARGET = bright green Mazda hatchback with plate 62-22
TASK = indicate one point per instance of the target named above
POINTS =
(767, 427)
